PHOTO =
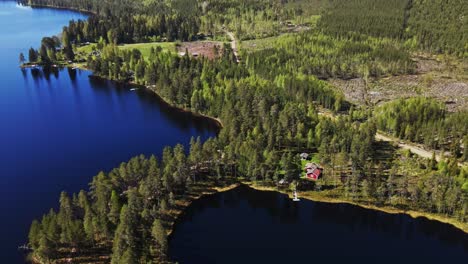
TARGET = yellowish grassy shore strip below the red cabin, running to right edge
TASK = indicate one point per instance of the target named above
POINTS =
(317, 197)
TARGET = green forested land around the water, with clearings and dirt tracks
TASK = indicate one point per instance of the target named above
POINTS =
(275, 92)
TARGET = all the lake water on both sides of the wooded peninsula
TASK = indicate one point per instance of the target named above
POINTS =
(60, 127)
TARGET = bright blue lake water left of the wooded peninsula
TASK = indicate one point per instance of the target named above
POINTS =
(58, 129)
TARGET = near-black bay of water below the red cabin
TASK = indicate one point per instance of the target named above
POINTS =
(248, 226)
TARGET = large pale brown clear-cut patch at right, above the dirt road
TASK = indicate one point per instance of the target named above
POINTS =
(444, 79)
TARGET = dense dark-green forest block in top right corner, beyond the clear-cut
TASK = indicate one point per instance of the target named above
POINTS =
(434, 25)
